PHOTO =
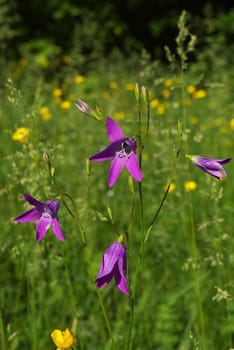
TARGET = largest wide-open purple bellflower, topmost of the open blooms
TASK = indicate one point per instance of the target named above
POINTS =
(122, 151)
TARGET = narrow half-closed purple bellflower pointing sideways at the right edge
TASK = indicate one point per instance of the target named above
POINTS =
(210, 165)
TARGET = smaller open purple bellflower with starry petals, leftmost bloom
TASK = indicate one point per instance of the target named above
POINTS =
(45, 214)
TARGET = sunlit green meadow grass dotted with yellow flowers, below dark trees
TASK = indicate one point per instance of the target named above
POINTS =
(183, 288)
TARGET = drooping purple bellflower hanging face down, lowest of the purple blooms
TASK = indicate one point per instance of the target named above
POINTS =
(114, 264)
